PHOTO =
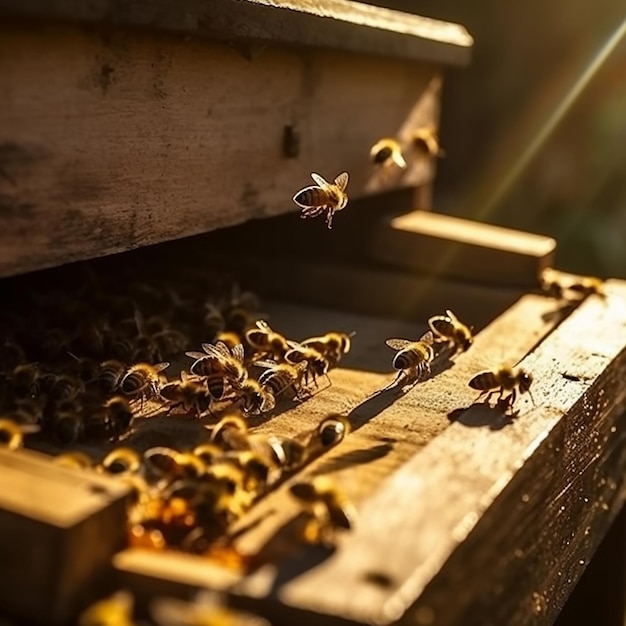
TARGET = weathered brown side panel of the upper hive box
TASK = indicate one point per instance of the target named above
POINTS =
(114, 141)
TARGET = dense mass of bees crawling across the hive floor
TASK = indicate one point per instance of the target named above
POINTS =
(87, 377)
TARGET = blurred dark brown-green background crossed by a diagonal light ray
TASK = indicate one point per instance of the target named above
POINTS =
(534, 129)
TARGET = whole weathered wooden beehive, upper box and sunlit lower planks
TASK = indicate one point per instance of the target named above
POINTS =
(161, 121)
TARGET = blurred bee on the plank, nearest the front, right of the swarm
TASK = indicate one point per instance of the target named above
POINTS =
(327, 507)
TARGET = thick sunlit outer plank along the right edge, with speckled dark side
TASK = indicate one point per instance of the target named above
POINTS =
(523, 505)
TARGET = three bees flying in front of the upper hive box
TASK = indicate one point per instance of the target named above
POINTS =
(388, 154)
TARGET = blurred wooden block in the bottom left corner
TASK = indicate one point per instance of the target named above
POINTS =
(58, 531)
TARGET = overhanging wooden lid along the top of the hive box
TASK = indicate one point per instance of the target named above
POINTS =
(335, 24)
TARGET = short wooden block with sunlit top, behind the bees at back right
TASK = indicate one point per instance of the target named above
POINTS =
(445, 245)
